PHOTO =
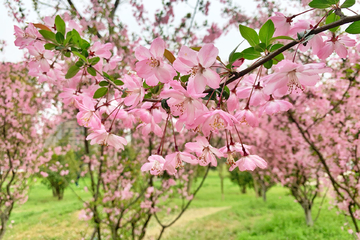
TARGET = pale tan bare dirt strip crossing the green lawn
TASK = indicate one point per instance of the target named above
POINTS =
(188, 216)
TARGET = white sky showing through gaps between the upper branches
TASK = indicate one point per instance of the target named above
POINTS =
(12, 54)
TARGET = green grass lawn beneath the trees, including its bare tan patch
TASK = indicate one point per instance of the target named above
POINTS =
(238, 216)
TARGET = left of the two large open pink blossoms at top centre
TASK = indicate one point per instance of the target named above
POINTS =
(151, 65)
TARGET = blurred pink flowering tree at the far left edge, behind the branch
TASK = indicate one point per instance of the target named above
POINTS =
(22, 131)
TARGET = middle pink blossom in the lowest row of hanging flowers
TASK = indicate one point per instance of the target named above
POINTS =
(205, 152)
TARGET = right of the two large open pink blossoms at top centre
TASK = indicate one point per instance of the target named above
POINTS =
(198, 64)
